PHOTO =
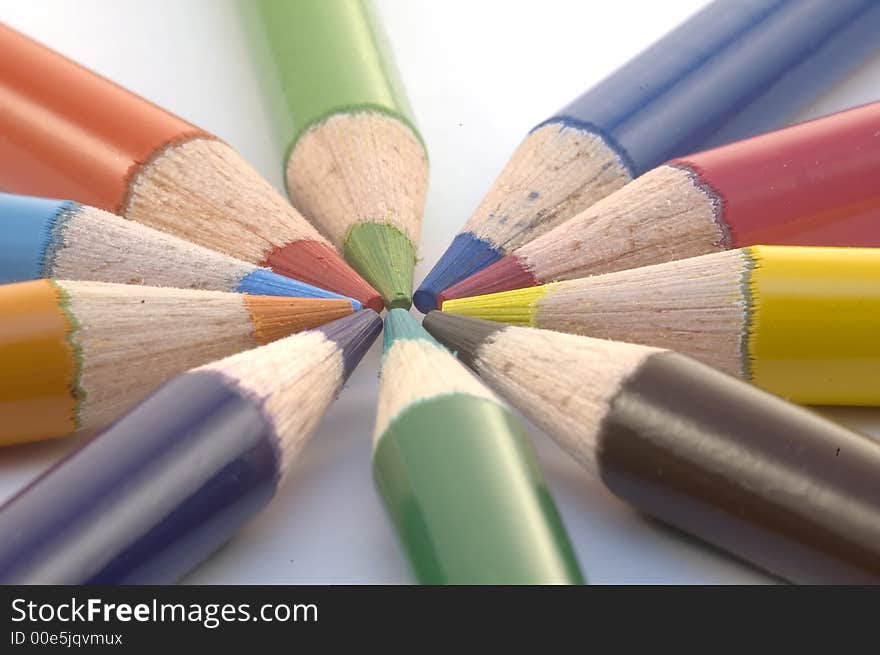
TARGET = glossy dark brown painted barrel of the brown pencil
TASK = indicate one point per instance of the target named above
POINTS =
(763, 479)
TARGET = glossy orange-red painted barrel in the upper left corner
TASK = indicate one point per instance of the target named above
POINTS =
(68, 131)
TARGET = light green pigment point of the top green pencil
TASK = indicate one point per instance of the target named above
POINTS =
(385, 257)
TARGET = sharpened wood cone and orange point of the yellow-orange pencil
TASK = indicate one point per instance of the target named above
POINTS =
(129, 339)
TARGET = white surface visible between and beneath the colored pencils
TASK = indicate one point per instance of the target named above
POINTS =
(479, 75)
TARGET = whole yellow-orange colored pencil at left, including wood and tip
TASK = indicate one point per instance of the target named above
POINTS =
(76, 355)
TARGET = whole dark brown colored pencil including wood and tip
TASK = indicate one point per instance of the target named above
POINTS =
(766, 480)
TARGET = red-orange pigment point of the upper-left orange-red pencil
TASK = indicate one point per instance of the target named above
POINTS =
(319, 264)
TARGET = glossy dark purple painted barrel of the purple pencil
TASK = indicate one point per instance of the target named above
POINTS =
(149, 498)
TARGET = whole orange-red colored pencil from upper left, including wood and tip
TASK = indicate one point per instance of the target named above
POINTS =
(69, 133)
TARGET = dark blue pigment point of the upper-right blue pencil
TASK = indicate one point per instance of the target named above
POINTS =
(465, 256)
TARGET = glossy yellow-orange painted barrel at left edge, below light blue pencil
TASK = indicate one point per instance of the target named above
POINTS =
(38, 390)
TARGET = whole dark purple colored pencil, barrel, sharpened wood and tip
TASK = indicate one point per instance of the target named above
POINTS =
(174, 479)
